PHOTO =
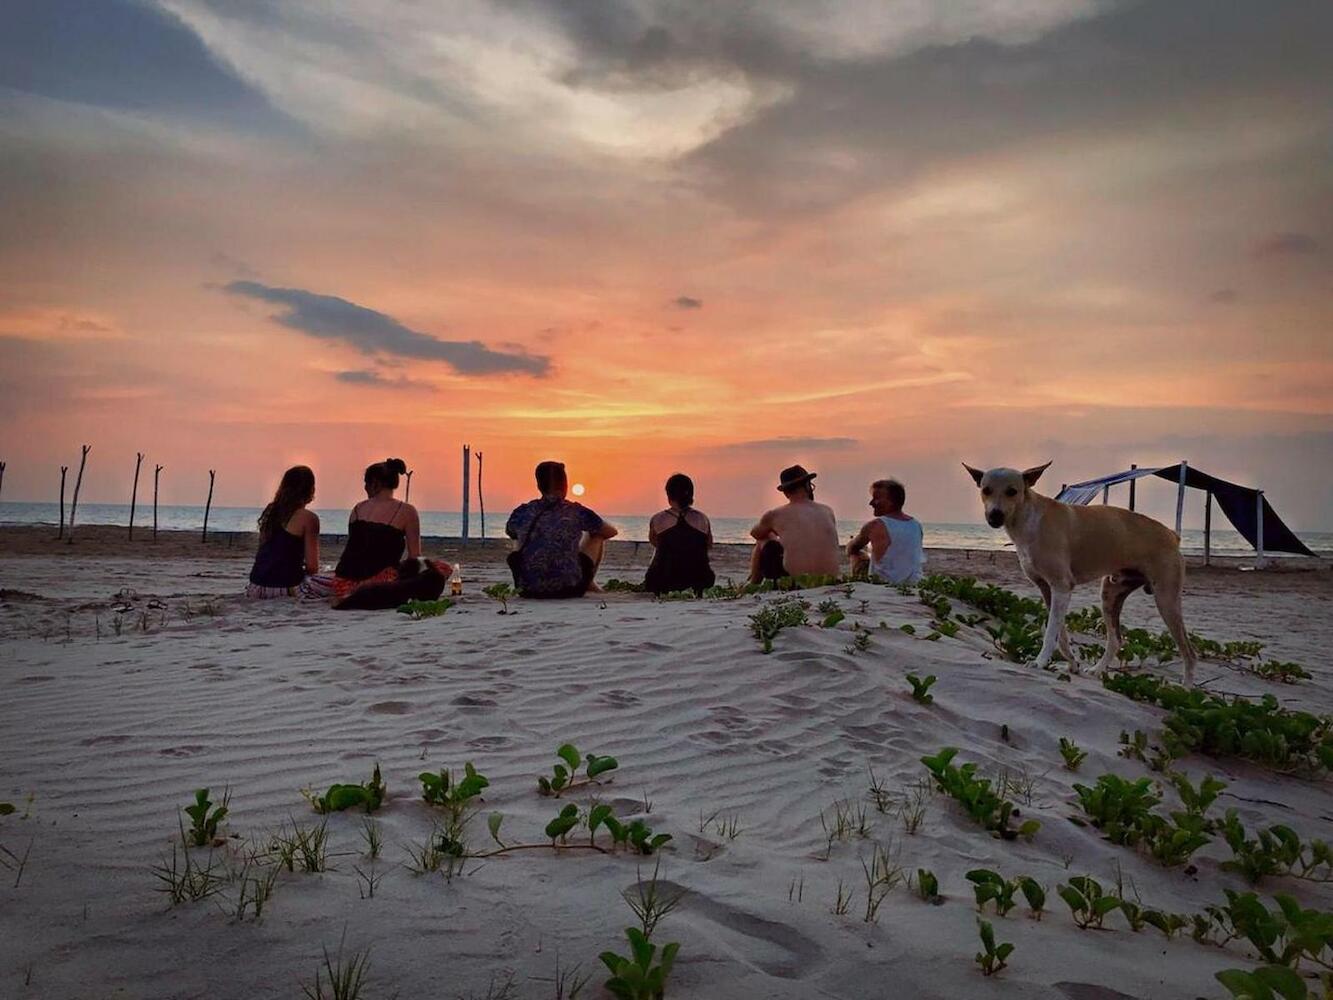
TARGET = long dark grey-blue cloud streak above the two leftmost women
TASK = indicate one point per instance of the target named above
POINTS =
(330, 318)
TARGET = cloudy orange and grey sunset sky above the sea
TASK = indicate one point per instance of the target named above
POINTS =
(653, 237)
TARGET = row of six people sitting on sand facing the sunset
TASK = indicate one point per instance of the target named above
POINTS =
(559, 543)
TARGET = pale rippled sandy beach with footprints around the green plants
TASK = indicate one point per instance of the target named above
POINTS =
(111, 721)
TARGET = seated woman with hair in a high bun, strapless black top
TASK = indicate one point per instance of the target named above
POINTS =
(379, 533)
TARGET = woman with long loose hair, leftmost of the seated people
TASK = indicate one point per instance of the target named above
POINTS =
(289, 539)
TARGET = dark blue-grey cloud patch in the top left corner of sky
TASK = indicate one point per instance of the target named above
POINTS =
(122, 54)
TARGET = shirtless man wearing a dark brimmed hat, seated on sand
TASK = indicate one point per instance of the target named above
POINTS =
(799, 538)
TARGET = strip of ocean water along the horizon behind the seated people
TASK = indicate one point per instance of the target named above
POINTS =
(633, 527)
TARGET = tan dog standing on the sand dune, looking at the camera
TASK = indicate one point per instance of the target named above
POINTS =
(1062, 546)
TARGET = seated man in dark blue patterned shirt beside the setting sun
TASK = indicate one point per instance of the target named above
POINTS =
(559, 542)
